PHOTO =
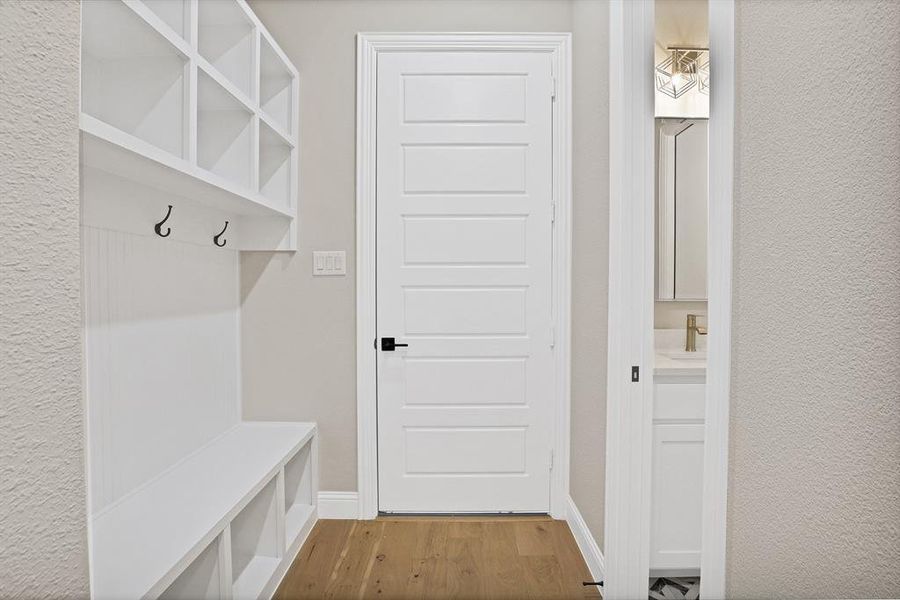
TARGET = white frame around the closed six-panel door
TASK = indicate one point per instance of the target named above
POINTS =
(369, 45)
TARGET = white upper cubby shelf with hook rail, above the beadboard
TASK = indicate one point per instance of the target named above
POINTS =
(192, 103)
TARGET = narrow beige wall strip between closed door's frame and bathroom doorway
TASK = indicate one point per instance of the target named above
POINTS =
(590, 260)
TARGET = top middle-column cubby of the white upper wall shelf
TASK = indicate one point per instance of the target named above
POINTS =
(227, 40)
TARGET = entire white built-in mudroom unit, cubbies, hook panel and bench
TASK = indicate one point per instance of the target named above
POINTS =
(188, 129)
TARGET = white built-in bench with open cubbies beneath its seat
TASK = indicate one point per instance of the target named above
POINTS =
(225, 522)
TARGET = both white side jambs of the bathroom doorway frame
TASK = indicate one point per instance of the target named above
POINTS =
(631, 293)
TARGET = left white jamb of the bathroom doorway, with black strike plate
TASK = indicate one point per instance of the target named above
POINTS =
(629, 404)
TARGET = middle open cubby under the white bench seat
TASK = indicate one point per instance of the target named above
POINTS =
(255, 549)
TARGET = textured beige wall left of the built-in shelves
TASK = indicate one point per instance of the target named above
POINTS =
(43, 511)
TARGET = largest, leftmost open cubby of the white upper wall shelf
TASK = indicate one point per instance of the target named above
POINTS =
(132, 77)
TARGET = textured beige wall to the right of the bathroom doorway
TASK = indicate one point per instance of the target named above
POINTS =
(814, 491)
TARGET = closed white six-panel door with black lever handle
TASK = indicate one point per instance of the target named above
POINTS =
(464, 209)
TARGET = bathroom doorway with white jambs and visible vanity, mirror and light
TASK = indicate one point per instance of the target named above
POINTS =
(659, 427)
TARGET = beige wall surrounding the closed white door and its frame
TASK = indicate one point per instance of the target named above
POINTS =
(284, 307)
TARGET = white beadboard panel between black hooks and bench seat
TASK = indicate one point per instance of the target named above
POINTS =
(161, 345)
